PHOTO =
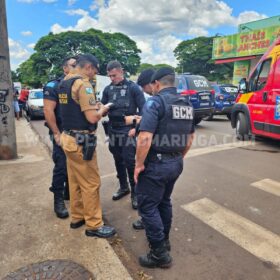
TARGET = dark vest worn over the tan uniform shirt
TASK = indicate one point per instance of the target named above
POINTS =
(72, 116)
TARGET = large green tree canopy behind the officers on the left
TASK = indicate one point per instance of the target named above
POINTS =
(50, 50)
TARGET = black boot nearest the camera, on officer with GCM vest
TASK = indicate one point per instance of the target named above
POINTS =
(157, 257)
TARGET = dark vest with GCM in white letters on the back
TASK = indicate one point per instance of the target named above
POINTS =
(175, 125)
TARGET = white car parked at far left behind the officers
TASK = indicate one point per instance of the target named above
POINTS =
(35, 105)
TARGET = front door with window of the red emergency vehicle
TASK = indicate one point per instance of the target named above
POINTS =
(260, 84)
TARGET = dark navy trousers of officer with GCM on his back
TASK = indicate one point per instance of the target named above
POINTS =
(153, 192)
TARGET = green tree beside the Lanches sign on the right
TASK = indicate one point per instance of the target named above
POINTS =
(195, 56)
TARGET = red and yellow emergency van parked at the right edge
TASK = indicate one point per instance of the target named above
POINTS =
(257, 108)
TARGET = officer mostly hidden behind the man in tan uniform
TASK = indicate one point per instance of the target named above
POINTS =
(59, 185)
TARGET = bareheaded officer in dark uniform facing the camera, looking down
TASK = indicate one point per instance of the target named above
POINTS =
(127, 99)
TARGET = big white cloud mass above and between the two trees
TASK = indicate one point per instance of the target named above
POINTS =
(156, 28)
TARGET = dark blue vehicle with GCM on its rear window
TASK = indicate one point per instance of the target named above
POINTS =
(200, 93)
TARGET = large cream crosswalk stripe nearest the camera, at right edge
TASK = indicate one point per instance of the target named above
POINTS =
(248, 235)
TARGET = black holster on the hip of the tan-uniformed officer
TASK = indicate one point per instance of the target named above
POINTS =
(88, 142)
